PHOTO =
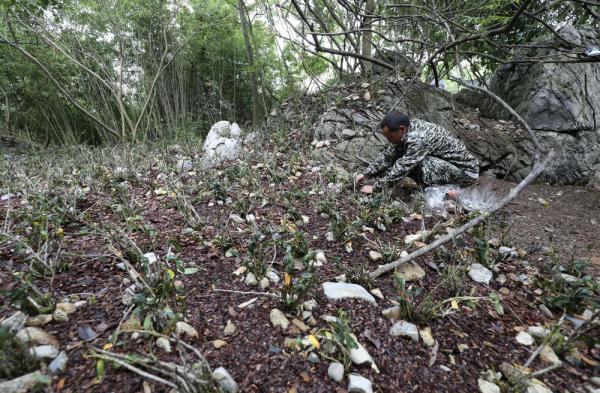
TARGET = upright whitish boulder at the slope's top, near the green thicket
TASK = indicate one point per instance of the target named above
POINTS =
(223, 142)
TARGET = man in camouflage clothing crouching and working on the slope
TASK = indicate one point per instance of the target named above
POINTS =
(424, 151)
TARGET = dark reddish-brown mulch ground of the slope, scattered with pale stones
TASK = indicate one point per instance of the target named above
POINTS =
(471, 340)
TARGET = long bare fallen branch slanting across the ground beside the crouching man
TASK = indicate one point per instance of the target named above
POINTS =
(514, 192)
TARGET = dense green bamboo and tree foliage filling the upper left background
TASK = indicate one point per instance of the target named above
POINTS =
(124, 71)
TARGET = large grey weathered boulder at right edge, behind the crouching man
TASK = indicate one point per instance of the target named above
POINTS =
(560, 101)
